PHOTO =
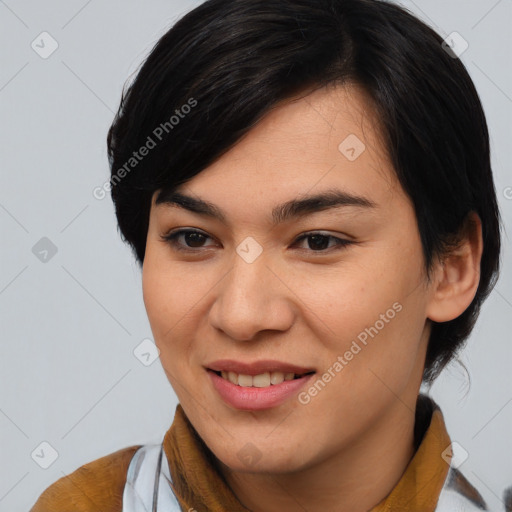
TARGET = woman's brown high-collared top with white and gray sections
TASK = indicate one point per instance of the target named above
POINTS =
(180, 475)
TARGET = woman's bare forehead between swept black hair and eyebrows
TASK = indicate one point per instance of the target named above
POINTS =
(325, 140)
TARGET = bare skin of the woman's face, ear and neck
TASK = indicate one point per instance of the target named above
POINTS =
(347, 448)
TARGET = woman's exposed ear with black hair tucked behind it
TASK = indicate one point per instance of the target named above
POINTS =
(457, 274)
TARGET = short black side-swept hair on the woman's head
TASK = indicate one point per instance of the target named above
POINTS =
(227, 63)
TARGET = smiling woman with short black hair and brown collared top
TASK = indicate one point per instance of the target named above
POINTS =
(307, 187)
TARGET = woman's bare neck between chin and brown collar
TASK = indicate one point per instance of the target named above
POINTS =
(354, 479)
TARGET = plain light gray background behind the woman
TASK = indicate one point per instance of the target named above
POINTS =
(70, 325)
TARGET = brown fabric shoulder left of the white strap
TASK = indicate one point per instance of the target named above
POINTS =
(95, 486)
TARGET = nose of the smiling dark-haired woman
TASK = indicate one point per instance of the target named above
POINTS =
(251, 298)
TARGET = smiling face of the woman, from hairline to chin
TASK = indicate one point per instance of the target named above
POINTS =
(335, 287)
